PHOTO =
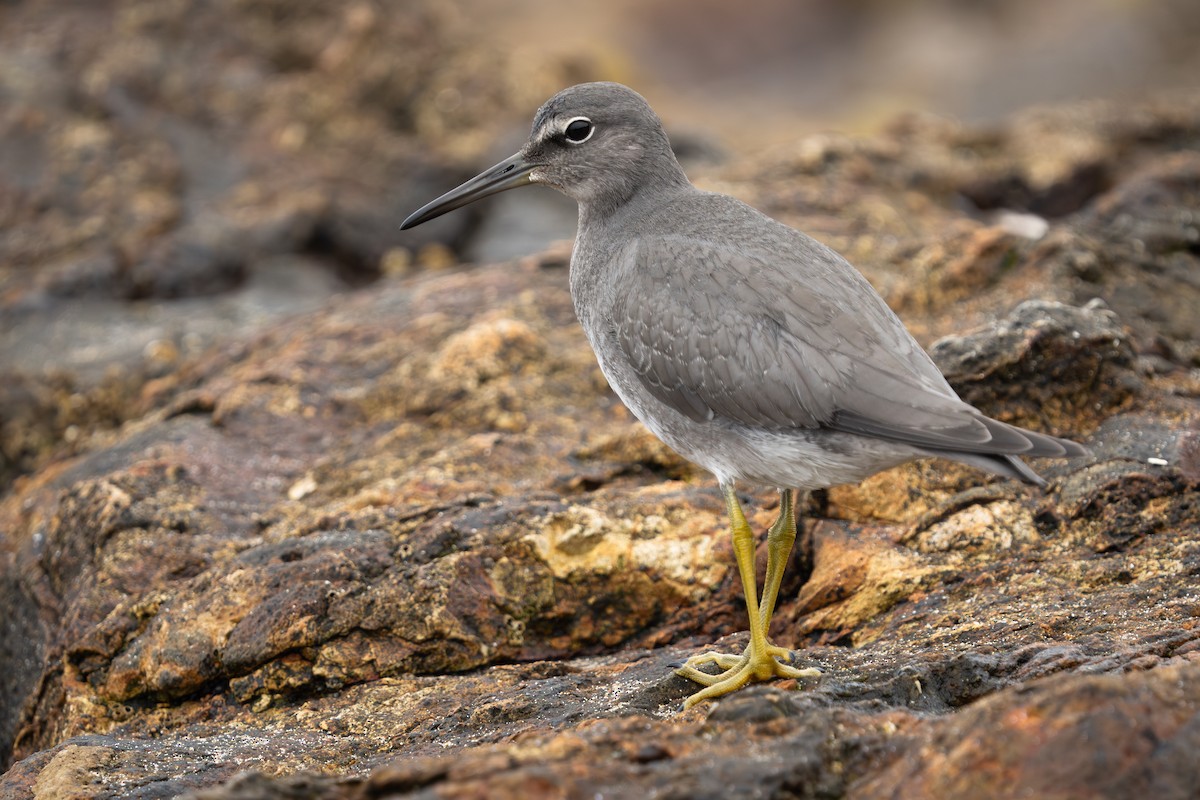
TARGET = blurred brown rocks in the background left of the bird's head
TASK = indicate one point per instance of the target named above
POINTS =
(242, 160)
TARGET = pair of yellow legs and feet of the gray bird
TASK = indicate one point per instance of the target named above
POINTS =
(761, 659)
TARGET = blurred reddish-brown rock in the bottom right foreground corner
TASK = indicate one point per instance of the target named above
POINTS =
(1057, 741)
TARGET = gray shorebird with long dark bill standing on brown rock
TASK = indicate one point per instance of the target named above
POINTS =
(748, 347)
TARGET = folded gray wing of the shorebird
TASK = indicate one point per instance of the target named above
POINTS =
(788, 336)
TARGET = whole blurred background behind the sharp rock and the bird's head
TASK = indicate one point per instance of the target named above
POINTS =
(173, 173)
